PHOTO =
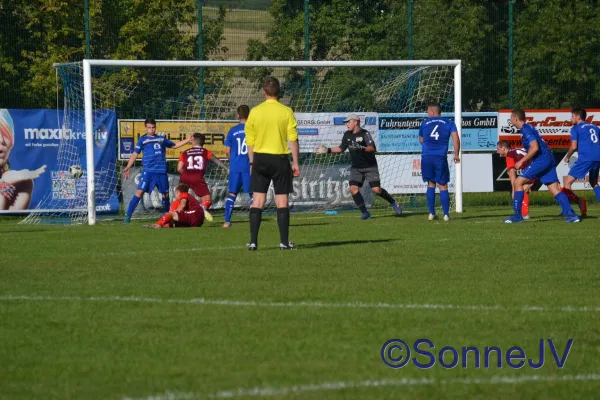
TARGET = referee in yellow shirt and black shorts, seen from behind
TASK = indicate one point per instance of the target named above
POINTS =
(269, 127)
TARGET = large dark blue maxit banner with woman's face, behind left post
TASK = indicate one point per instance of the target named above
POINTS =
(43, 178)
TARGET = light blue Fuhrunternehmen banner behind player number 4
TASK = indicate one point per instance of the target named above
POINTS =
(400, 132)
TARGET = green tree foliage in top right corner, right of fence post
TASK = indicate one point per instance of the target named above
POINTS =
(557, 54)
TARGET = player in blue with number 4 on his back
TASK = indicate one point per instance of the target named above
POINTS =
(434, 135)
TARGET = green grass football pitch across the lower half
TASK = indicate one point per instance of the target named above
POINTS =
(122, 312)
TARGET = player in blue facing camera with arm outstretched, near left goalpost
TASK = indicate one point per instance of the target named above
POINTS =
(154, 166)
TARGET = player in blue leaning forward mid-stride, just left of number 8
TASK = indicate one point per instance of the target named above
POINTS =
(542, 166)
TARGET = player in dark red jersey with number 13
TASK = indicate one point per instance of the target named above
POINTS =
(192, 166)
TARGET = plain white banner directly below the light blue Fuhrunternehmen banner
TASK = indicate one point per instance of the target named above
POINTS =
(402, 173)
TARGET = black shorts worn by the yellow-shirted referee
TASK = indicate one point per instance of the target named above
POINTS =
(271, 167)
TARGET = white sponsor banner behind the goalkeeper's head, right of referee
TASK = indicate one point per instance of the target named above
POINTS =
(328, 128)
